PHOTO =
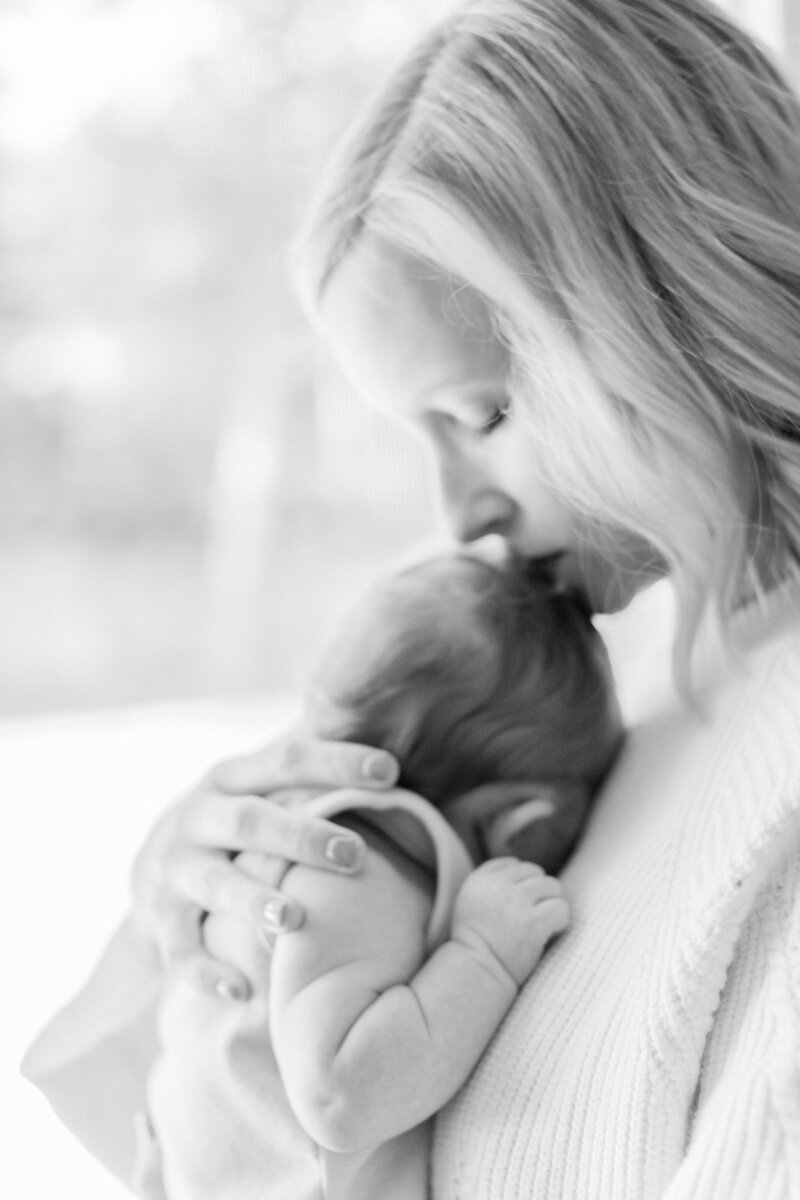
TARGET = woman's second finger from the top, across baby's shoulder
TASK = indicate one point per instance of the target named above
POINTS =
(249, 823)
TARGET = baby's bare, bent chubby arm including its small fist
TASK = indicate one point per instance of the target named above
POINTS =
(371, 1039)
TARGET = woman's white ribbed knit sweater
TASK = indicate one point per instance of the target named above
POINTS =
(657, 1051)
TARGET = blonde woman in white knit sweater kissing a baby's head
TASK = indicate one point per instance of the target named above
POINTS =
(564, 244)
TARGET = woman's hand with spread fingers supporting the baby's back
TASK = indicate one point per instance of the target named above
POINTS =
(187, 867)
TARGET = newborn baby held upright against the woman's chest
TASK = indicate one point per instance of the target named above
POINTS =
(370, 1018)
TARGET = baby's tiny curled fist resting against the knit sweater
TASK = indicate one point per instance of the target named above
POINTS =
(507, 911)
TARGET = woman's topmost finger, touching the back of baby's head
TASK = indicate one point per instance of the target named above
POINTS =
(298, 760)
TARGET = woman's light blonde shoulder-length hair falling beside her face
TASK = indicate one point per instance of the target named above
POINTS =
(619, 178)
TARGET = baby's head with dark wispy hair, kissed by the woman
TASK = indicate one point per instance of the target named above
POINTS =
(472, 674)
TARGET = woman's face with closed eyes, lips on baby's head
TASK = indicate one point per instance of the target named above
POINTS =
(419, 349)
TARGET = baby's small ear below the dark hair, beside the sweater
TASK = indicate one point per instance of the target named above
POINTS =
(552, 831)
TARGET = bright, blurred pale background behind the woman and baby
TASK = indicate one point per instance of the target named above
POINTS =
(190, 496)
